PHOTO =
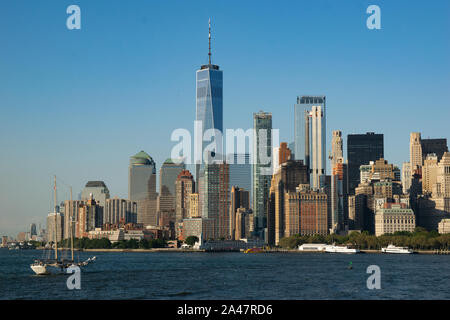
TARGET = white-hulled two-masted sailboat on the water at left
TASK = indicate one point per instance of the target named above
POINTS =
(49, 266)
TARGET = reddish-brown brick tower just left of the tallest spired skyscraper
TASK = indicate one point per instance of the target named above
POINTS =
(184, 187)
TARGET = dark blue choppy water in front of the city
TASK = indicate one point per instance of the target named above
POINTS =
(230, 276)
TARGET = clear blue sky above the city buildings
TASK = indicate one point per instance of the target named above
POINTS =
(79, 103)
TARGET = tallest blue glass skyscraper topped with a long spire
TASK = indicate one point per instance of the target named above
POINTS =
(209, 102)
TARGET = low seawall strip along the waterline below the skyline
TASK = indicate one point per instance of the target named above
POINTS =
(364, 251)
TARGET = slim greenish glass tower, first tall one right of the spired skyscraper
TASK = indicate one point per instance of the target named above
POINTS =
(262, 167)
